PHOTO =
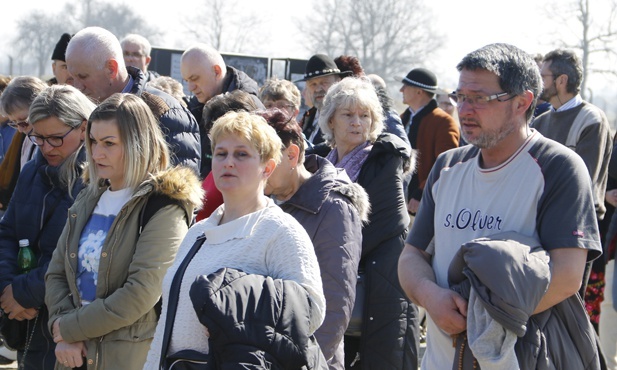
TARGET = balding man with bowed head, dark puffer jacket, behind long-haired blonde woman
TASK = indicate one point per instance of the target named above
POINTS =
(94, 59)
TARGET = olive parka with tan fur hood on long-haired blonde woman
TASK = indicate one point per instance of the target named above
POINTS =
(119, 324)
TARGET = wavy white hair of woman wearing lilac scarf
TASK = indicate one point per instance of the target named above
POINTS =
(351, 91)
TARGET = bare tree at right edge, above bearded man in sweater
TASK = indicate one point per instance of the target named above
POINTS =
(593, 32)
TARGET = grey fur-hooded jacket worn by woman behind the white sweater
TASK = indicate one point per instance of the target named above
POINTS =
(332, 209)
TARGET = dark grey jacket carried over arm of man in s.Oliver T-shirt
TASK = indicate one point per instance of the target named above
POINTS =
(511, 273)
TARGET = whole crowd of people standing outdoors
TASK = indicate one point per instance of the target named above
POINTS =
(228, 230)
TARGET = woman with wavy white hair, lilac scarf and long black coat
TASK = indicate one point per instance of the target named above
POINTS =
(352, 122)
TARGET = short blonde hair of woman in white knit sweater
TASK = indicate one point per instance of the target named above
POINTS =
(251, 128)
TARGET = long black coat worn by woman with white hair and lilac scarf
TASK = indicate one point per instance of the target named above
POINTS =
(390, 325)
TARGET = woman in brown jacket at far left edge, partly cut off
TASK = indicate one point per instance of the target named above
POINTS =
(14, 104)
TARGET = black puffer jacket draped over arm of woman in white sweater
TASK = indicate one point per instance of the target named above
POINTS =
(254, 320)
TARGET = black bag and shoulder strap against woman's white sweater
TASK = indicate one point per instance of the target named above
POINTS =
(184, 359)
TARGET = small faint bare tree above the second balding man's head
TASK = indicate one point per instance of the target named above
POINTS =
(223, 25)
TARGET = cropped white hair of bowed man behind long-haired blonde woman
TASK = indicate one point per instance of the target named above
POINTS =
(98, 45)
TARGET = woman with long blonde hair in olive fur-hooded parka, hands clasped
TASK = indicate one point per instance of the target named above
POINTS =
(104, 279)
